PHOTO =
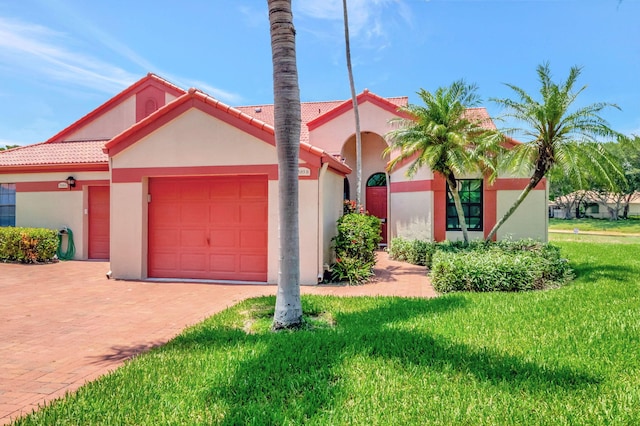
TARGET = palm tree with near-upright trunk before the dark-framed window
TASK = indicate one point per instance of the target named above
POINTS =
(442, 137)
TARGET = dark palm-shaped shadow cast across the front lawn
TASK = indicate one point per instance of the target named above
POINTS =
(296, 375)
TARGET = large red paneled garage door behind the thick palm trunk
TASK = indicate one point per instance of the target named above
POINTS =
(208, 228)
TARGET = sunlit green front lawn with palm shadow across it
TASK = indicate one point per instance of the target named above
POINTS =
(560, 357)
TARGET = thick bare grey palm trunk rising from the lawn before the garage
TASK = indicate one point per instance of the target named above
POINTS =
(286, 93)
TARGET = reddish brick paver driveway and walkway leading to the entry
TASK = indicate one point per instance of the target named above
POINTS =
(64, 324)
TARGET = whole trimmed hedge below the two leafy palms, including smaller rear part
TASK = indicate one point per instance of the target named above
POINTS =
(479, 266)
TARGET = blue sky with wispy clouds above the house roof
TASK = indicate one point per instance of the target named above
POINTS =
(60, 59)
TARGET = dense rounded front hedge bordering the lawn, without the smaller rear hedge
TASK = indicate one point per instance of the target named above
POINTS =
(503, 266)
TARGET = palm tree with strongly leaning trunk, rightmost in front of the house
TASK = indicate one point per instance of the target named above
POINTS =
(560, 136)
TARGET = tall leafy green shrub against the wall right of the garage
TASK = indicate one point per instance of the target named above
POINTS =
(355, 248)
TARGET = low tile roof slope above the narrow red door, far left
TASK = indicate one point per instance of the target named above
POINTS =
(49, 153)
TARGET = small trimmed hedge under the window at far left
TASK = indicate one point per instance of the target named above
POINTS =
(28, 245)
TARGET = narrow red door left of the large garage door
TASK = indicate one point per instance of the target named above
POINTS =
(99, 222)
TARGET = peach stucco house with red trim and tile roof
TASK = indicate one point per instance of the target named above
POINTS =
(174, 184)
